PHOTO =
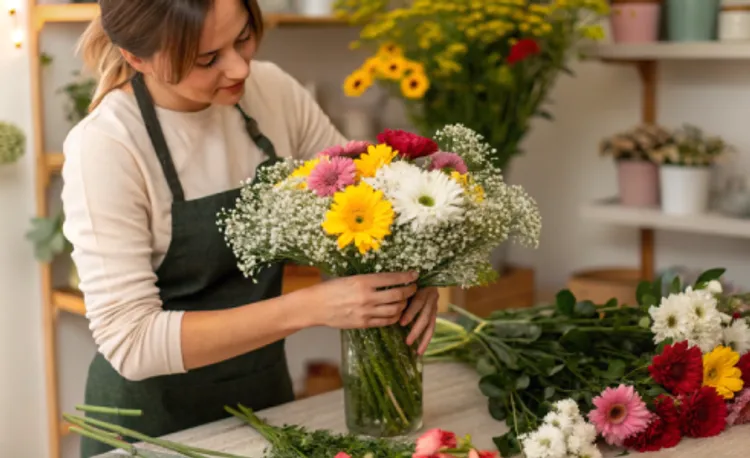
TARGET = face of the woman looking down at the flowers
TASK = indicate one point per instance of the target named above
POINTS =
(223, 64)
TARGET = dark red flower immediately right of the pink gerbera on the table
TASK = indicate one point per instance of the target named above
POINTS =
(662, 432)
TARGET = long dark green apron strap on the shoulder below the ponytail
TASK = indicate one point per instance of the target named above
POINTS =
(146, 105)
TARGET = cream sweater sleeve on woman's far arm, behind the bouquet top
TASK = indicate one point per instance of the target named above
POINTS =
(310, 127)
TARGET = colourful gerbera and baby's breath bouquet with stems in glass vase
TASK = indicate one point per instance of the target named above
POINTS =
(407, 203)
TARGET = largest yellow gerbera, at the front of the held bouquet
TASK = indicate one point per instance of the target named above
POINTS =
(359, 214)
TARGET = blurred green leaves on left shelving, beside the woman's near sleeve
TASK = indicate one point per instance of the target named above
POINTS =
(49, 242)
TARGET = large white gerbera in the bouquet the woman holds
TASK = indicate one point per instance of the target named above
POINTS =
(428, 199)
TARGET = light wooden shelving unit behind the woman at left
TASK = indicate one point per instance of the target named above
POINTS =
(49, 165)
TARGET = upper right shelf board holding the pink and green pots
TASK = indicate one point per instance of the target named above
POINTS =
(709, 50)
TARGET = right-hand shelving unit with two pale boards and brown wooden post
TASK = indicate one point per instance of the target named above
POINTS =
(646, 58)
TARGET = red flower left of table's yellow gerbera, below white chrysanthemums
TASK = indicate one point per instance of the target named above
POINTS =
(678, 368)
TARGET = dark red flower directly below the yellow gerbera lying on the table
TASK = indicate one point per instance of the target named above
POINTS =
(703, 413)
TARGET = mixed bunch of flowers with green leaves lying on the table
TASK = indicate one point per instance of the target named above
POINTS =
(677, 364)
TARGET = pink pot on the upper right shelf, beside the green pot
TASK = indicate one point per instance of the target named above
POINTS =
(636, 22)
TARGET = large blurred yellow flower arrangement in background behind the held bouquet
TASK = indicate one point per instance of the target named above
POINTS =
(488, 65)
